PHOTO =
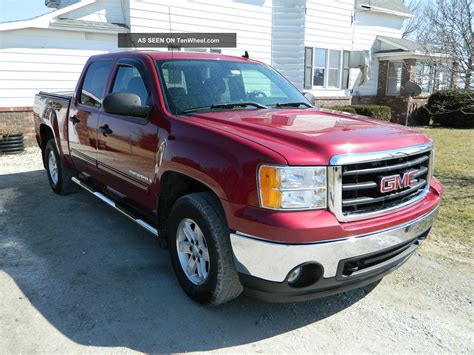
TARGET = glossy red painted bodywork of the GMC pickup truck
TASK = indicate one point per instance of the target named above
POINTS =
(222, 150)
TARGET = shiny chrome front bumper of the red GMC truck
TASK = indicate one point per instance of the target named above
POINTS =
(273, 261)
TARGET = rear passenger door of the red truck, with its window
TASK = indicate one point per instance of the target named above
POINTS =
(84, 115)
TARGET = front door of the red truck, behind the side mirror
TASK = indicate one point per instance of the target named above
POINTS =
(127, 145)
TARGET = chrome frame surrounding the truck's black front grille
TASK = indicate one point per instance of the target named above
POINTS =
(335, 179)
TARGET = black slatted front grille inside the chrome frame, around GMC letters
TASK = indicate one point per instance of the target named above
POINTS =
(361, 183)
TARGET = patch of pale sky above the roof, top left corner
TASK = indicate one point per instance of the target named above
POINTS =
(12, 10)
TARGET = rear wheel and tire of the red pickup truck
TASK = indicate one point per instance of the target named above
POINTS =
(59, 178)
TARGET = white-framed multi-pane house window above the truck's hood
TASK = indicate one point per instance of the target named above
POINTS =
(326, 68)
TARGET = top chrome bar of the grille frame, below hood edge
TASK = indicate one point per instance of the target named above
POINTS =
(354, 158)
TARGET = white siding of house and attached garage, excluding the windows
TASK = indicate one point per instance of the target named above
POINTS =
(272, 31)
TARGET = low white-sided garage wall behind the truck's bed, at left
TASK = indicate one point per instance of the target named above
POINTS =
(25, 70)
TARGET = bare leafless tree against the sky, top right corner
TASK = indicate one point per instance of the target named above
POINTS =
(448, 28)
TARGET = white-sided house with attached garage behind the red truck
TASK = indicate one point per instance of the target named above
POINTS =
(314, 43)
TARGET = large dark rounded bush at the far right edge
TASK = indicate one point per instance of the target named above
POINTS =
(452, 108)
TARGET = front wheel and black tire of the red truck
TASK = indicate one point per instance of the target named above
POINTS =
(222, 282)
